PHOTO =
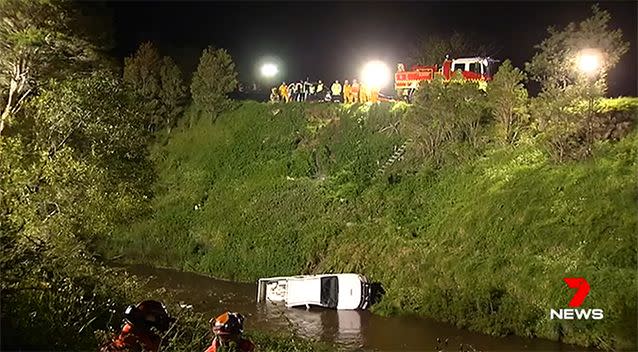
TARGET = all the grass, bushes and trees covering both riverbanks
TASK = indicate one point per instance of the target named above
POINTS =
(468, 207)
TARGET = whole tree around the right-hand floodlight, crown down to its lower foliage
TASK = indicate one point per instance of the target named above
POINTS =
(560, 111)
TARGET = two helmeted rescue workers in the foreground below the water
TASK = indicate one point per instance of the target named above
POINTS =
(145, 323)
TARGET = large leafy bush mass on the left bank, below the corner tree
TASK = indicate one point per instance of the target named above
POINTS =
(74, 166)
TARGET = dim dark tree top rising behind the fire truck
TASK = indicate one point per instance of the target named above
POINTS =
(433, 48)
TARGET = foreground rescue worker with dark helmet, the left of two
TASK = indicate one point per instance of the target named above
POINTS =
(138, 332)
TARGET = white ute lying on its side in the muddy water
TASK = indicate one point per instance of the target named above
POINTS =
(336, 291)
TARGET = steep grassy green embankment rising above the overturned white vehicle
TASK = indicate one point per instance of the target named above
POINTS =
(268, 191)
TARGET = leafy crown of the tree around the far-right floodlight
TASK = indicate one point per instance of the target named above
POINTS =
(555, 63)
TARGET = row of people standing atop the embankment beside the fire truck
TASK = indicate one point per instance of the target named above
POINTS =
(348, 93)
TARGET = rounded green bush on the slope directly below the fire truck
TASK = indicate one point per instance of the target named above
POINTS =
(443, 113)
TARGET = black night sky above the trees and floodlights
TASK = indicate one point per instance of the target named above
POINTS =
(330, 41)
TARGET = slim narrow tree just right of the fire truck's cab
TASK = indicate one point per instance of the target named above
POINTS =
(507, 98)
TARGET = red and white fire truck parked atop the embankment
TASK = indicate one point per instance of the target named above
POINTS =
(480, 69)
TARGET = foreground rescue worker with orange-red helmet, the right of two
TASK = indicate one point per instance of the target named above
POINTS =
(227, 329)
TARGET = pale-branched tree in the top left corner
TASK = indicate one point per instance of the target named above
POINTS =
(37, 41)
